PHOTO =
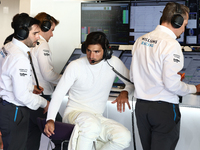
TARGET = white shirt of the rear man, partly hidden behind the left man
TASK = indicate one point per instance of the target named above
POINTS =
(47, 77)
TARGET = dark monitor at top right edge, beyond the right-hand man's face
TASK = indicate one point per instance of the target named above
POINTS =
(192, 34)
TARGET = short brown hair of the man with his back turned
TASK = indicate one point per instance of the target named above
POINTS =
(171, 9)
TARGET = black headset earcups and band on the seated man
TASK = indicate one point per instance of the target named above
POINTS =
(107, 51)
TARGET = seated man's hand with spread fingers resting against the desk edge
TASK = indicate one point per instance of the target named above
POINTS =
(121, 100)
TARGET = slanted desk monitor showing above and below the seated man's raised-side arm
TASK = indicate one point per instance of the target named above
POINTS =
(126, 58)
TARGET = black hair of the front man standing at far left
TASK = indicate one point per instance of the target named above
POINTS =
(23, 20)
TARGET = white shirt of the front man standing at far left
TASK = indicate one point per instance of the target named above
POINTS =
(15, 76)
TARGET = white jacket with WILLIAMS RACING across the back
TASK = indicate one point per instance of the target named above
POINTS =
(157, 58)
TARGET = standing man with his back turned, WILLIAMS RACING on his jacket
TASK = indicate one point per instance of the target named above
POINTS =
(156, 61)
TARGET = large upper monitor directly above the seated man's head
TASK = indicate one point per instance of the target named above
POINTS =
(112, 18)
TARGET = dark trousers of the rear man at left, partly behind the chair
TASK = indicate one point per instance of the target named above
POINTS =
(34, 134)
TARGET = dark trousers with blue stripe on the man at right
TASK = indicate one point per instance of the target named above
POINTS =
(158, 124)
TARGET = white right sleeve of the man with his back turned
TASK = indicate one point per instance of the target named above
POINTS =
(173, 63)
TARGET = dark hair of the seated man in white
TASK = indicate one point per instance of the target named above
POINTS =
(97, 38)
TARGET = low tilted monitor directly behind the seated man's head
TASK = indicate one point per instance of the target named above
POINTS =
(77, 53)
